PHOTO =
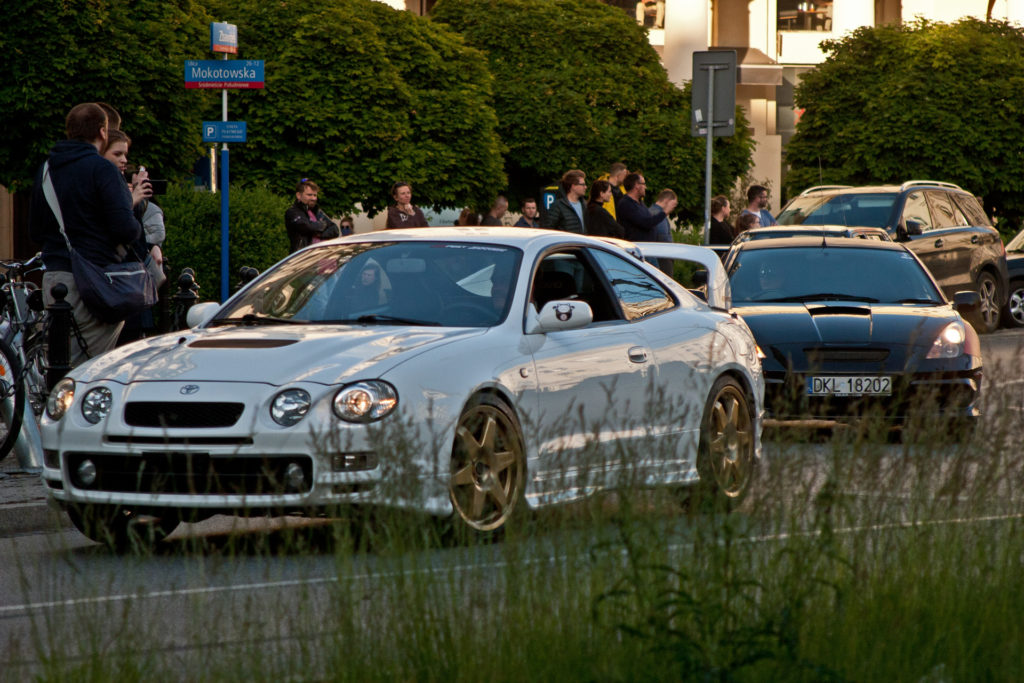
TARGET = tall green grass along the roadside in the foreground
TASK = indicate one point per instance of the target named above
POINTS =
(855, 559)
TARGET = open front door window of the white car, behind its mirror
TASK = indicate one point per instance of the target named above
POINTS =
(567, 275)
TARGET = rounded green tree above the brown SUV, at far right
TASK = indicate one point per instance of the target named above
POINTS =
(921, 101)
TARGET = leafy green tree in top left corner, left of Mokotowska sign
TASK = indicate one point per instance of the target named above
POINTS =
(57, 54)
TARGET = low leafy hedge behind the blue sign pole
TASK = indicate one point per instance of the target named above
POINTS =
(258, 233)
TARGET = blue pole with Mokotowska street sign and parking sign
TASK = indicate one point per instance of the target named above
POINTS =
(224, 74)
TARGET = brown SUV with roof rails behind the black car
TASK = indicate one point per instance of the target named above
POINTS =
(942, 223)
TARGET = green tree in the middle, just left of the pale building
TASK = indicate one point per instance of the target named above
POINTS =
(578, 86)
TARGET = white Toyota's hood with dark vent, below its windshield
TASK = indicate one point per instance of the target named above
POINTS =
(276, 356)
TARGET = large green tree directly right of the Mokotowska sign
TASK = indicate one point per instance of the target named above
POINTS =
(360, 96)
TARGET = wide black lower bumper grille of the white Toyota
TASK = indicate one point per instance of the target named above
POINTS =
(192, 474)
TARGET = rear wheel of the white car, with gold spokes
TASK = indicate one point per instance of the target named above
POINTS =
(727, 460)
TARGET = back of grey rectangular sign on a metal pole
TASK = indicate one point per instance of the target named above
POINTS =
(714, 106)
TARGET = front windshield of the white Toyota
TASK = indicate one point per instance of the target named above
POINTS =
(391, 283)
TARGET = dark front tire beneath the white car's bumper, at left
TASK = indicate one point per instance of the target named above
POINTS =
(120, 529)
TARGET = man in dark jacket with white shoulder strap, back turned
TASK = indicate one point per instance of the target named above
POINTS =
(97, 208)
